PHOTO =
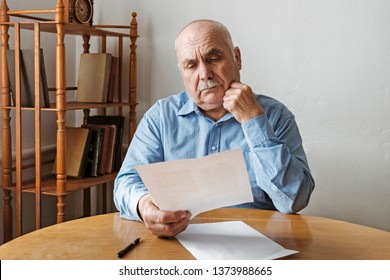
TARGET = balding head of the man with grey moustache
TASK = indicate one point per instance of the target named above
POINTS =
(208, 64)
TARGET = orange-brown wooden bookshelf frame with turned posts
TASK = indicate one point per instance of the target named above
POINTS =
(58, 185)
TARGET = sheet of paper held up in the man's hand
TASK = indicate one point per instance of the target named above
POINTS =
(198, 185)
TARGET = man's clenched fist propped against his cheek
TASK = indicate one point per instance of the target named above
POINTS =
(240, 101)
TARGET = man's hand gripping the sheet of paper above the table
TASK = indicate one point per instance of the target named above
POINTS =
(162, 223)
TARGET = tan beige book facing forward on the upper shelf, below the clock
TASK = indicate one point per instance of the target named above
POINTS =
(93, 77)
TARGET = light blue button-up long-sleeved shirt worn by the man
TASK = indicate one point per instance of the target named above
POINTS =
(175, 128)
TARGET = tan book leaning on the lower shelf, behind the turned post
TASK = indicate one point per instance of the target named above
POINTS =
(78, 142)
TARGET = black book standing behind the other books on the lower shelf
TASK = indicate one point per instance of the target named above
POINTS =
(118, 121)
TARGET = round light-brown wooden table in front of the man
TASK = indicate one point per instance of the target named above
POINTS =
(101, 237)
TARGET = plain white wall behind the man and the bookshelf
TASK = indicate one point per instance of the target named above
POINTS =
(328, 61)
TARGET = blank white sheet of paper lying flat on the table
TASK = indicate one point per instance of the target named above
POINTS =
(233, 240)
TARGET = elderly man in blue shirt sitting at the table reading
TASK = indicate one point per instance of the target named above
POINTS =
(217, 112)
